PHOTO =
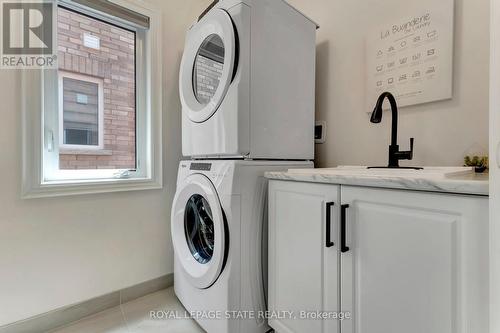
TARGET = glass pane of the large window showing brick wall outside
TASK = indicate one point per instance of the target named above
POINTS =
(96, 132)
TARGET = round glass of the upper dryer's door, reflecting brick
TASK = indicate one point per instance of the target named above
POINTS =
(208, 66)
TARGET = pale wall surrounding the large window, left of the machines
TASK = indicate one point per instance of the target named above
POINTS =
(59, 251)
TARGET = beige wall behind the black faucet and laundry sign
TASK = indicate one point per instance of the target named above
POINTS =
(443, 131)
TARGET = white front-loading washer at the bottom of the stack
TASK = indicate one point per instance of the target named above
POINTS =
(219, 232)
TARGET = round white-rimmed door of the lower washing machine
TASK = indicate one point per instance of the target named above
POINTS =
(198, 231)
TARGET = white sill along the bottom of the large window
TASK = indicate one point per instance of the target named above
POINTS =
(70, 188)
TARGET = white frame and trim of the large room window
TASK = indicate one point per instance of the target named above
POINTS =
(41, 174)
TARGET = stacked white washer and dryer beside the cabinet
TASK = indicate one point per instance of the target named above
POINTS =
(247, 87)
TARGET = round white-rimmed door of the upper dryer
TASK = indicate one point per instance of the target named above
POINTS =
(207, 65)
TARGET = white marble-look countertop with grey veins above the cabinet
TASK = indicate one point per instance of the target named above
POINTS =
(468, 183)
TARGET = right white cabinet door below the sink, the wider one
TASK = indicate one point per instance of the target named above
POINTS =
(417, 262)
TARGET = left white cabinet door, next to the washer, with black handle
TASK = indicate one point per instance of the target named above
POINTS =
(303, 263)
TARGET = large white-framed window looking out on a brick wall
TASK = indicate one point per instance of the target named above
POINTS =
(101, 109)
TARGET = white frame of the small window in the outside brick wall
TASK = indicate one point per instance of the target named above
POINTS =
(100, 111)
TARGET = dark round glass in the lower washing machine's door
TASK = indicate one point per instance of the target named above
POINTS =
(199, 228)
